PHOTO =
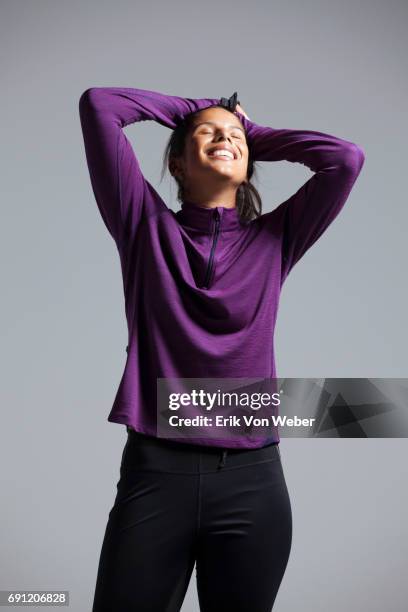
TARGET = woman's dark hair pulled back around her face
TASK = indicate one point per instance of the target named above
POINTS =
(248, 200)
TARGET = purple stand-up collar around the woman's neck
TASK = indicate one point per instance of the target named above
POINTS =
(202, 218)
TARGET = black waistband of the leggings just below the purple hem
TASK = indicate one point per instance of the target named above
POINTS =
(157, 454)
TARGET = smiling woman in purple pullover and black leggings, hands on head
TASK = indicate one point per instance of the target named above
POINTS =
(201, 292)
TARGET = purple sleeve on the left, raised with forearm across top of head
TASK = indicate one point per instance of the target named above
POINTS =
(122, 194)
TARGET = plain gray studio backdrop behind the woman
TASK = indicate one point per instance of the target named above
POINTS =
(330, 66)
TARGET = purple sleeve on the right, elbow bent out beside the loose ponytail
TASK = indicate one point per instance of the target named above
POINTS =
(304, 216)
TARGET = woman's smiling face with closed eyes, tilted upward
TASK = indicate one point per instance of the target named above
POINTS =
(216, 153)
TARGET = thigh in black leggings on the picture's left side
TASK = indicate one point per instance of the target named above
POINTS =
(148, 554)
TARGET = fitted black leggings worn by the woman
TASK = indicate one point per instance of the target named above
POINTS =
(178, 504)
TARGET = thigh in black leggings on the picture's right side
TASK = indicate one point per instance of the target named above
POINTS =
(245, 538)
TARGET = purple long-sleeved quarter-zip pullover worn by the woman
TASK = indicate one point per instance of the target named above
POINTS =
(201, 289)
